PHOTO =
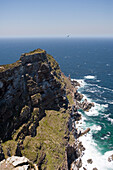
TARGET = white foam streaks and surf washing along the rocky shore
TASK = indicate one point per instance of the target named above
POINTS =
(92, 152)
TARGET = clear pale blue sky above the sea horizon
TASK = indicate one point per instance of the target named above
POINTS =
(34, 18)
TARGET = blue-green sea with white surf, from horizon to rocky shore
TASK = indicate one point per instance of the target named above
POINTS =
(90, 61)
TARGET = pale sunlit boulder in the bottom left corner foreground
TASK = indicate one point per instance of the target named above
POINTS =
(17, 163)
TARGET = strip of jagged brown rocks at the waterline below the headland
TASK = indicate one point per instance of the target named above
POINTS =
(75, 118)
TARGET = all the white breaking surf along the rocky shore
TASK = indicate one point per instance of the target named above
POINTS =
(92, 151)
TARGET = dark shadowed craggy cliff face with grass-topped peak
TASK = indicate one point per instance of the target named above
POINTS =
(27, 88)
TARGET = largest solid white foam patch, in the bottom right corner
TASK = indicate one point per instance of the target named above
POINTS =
(99, 161)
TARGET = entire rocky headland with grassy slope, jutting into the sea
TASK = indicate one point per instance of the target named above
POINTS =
(38, 115)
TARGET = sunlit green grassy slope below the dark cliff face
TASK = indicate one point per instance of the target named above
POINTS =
(50, 140)
